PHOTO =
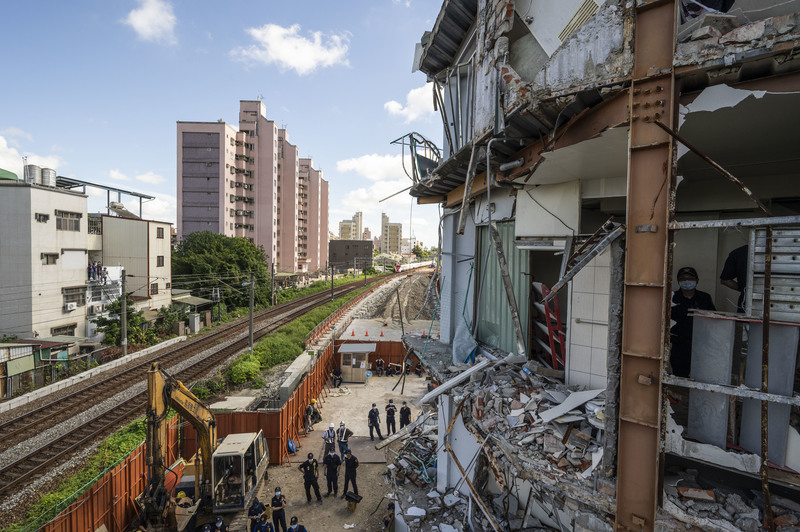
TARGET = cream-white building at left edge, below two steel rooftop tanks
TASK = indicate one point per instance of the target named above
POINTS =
(43, 257)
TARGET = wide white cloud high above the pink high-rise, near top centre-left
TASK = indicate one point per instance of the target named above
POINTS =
(289, 50)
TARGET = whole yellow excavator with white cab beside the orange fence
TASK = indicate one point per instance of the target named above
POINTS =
(226, 473)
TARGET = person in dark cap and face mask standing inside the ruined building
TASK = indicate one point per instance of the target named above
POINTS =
(685, 299)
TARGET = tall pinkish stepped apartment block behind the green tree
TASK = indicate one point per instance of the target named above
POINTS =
(246, 182)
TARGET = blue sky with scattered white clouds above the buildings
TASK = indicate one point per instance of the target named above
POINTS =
(94, 90)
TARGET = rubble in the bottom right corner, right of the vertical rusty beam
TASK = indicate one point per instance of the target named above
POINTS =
(691, 501)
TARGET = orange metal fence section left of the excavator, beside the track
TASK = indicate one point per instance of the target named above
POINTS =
(109, 501)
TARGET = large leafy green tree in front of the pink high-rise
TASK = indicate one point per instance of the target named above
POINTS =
(204, 260)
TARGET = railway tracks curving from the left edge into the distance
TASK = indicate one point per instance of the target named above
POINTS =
(38, 462)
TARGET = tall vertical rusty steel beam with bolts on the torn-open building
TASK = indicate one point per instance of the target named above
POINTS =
(647, 265)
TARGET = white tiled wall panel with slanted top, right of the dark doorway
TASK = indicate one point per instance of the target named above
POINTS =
(588, 324)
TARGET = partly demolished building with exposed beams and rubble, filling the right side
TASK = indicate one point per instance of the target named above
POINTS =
(590, 150)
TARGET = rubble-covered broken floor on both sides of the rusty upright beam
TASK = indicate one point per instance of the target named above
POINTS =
(533, 449)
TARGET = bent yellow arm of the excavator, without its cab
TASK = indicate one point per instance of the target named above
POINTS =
(163, 392)
